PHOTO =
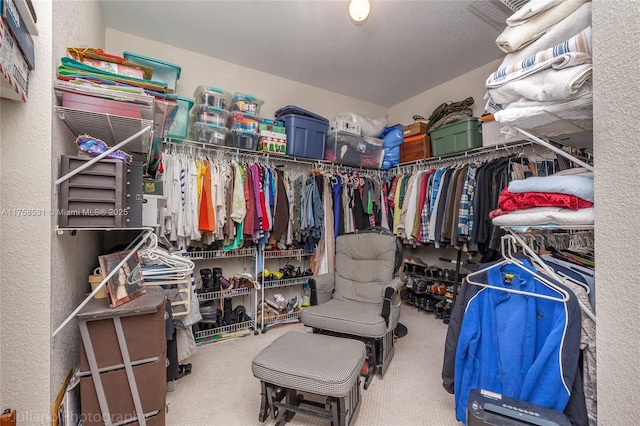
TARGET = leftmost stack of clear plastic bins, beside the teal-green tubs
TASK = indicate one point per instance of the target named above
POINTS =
(211, 115)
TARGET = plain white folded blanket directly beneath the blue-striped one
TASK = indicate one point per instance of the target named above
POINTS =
(544, 86)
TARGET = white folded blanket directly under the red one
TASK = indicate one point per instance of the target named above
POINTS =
(552, 216)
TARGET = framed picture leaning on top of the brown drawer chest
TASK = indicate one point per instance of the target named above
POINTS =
(126, 284)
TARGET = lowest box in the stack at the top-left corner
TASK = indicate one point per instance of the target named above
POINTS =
(13, 67)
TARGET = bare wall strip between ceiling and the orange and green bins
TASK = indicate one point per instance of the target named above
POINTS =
(469, 84)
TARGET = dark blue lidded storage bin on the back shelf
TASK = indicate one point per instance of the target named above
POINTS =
(306, 132)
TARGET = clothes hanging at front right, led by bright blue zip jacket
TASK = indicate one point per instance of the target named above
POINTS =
(524, 326)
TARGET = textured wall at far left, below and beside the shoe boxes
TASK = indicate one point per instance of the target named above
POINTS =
(25, 252)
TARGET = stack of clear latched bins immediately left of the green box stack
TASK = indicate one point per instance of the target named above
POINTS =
(244, 124)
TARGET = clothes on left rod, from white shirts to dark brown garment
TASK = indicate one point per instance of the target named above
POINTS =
(224, 203)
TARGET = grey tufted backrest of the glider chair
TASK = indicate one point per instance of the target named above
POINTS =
(365, 264)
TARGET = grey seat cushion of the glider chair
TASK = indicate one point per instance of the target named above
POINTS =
(342, 316)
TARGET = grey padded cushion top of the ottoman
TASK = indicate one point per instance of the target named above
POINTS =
(314, 363)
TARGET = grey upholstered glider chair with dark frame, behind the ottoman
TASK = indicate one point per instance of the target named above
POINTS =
(360, 300)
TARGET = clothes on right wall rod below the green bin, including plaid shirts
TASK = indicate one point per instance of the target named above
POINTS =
(449, 206)
